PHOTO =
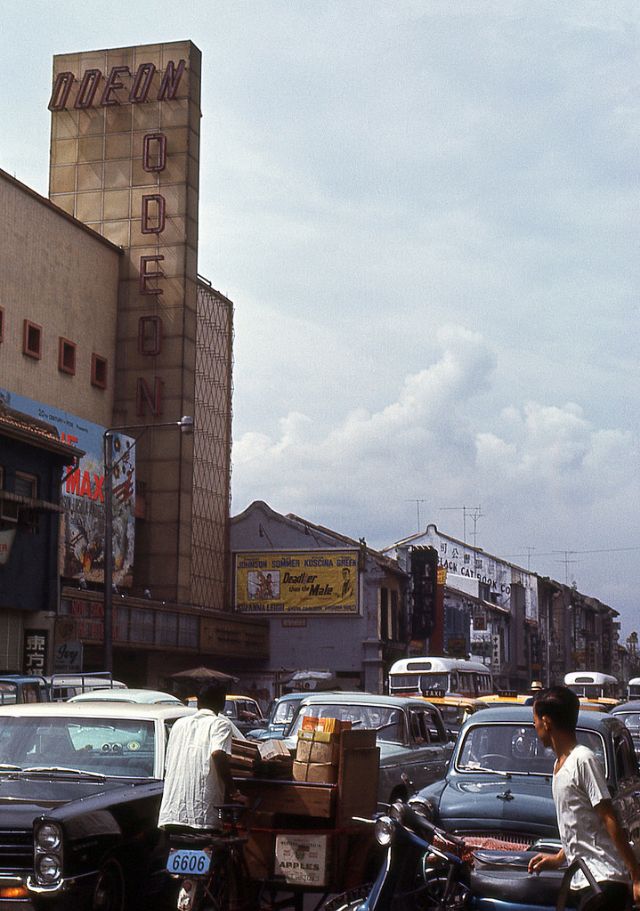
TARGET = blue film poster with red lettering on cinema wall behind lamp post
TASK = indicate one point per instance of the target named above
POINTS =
(83, 495)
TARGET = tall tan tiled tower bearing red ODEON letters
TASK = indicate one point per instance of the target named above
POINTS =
(124, 160)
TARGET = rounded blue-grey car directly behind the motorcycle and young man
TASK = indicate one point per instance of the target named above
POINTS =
(497, 789)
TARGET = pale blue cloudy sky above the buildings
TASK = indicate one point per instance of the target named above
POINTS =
(426, 214)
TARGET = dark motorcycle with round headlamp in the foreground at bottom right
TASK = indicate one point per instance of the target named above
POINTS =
(427, 869)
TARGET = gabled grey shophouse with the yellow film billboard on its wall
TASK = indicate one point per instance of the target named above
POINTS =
(331, 602)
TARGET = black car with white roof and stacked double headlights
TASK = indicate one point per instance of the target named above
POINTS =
(81, 787)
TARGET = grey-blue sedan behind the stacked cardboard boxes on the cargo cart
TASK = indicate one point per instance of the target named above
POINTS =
(414, 745)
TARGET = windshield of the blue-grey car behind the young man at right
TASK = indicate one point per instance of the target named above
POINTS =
(514, 748)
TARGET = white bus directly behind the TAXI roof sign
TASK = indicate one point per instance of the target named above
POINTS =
(418, 676)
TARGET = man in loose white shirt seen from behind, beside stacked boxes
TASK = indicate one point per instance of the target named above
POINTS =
(197, 773)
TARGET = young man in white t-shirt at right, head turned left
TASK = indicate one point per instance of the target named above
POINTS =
(589, 827)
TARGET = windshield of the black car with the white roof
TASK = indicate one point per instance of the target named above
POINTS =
(111, 747)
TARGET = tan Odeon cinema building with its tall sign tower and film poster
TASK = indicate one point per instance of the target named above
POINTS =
(105, 323)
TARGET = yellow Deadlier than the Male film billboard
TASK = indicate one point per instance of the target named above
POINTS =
(297, 582)
